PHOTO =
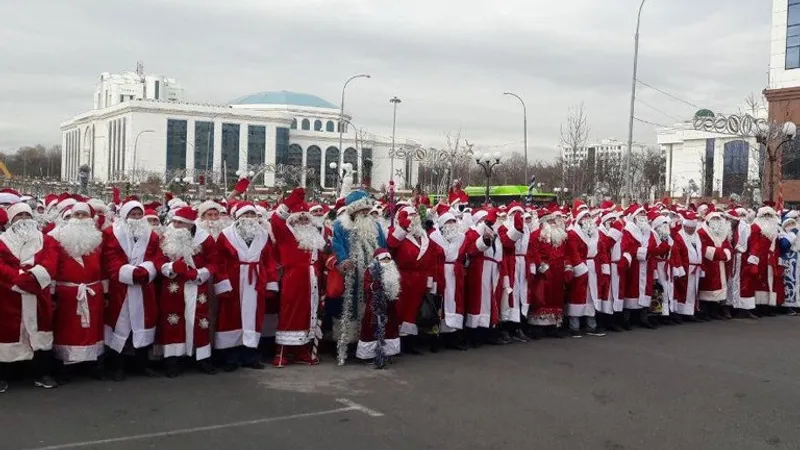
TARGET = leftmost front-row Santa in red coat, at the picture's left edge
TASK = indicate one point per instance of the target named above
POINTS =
(27, 260)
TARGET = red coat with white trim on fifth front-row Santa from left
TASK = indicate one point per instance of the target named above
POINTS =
(245, 274)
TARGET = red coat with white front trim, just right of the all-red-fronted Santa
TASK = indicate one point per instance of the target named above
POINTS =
(584, 254)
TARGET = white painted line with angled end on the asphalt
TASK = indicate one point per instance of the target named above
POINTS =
(349, 406)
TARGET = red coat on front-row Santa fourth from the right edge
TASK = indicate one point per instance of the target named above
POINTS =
(716, 254)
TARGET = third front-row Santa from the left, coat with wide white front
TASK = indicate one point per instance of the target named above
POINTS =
(131, 255)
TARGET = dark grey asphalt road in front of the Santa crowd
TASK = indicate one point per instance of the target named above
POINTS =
(720, 385)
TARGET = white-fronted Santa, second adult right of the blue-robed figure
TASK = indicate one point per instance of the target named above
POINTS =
(450, 238)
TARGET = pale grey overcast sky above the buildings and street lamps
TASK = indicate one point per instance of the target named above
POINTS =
(448, 60)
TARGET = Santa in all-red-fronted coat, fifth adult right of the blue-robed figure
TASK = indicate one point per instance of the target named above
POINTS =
(547, 250)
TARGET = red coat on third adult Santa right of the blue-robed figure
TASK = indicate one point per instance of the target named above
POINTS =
(484, 273)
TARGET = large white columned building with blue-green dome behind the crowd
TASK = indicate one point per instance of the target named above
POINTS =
(141, 127)
